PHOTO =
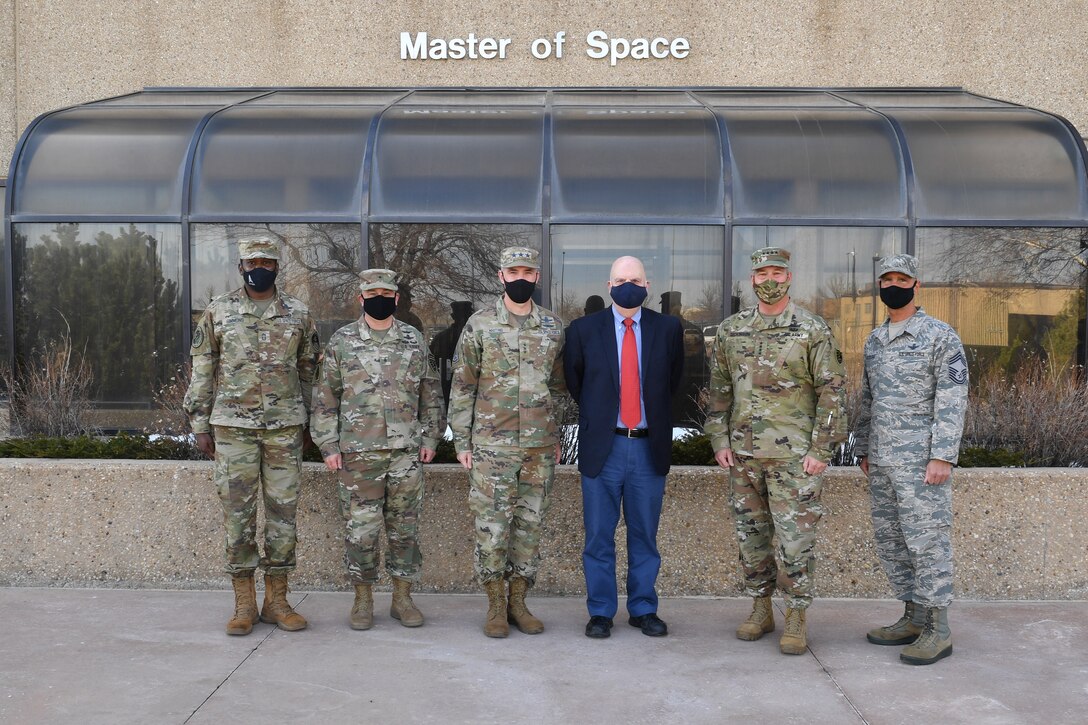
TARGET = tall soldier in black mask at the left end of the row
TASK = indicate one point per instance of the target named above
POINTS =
(255, 352)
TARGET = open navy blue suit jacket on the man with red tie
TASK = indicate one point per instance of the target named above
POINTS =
(591, 362)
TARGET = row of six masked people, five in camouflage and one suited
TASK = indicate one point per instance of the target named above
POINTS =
(376, 408)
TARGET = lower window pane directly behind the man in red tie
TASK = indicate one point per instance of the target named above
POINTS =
(684, 266)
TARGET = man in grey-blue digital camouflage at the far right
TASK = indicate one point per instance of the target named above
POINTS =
(914, 398)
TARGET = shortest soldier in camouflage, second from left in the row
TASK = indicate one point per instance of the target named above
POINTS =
(377, 415)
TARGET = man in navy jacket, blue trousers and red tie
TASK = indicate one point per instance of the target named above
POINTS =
(623, 366)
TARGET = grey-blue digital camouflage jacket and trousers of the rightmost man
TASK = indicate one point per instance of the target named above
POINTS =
(914, 398)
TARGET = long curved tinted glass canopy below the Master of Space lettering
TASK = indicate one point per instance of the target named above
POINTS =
(910, 157)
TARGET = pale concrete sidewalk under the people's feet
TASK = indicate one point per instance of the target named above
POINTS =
(106, 656)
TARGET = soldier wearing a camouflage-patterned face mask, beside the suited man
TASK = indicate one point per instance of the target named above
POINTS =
(777, 397)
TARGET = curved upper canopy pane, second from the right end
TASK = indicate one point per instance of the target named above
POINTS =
(808, 164)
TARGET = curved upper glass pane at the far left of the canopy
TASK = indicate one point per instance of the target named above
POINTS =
(102, 161)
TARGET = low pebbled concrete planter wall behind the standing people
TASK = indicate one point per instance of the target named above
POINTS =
(1020, 534)
